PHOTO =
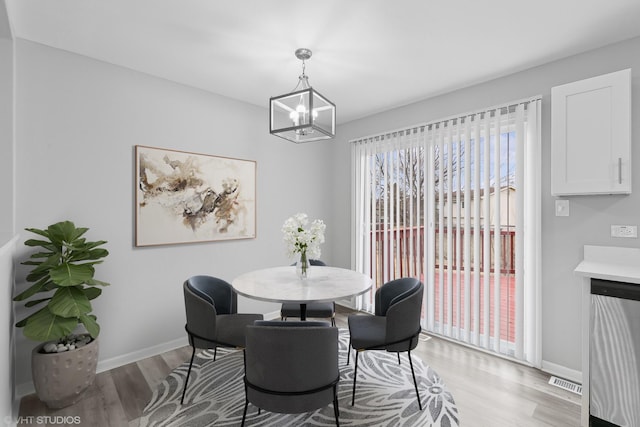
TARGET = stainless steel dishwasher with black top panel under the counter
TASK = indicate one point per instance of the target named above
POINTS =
(614, 359)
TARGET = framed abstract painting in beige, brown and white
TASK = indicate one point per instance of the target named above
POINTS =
(184, 197)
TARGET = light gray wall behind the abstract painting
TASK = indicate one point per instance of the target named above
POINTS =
(77, 123)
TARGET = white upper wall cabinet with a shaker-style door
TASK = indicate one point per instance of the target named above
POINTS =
(591, 136)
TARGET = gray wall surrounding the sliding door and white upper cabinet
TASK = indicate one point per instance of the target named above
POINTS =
(563, 237)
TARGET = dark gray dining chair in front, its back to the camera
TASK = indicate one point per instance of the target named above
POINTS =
(302, 379)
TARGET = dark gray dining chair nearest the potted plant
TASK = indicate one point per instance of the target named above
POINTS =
(213, 321)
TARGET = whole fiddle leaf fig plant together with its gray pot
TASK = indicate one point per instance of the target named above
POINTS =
(64, 365)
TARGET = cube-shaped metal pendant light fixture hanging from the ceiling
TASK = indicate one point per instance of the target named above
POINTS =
(303, 115)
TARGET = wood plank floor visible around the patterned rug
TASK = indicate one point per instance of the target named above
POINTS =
(489, 391)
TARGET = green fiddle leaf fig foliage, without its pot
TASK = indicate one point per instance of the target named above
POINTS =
(63, 280)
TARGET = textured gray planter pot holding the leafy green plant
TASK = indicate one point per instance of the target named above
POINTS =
(61, 379)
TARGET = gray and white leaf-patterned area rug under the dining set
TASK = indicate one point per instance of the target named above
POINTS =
(385, 395)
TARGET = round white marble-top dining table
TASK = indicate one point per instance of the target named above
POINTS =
(281, 284)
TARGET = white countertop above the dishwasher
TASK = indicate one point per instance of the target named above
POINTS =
(610, 263)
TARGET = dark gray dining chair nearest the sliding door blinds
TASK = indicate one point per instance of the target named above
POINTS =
(395, 326)
